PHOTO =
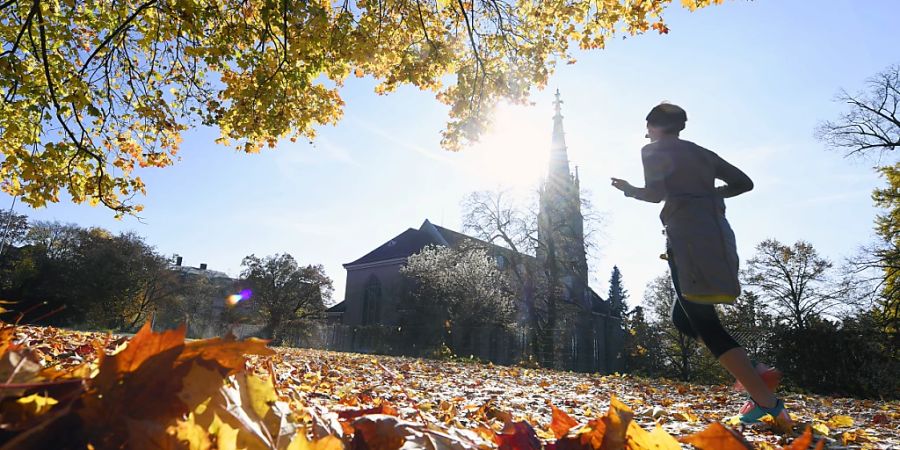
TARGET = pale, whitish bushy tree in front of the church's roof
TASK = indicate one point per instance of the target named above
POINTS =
(459, 288)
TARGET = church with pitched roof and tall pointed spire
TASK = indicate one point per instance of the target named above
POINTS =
(590, 338)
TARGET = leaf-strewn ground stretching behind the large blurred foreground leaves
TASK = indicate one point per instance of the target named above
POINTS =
(475, 405)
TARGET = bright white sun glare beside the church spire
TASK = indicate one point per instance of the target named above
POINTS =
(516, 149)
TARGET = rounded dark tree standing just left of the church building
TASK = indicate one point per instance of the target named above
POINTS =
(285, 294)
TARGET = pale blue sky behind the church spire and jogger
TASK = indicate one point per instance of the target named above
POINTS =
(755, 78)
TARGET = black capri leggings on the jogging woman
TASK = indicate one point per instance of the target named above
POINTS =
(699, 321)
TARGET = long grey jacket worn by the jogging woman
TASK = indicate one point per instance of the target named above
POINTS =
(700, 239)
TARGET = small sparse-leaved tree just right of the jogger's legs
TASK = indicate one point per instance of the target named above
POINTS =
(796, 283)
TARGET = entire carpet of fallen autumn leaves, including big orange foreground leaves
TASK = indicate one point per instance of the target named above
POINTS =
(64, 389)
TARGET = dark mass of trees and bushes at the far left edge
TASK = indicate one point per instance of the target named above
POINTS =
(86, 276)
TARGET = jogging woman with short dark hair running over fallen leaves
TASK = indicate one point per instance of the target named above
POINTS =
(701, 248)
